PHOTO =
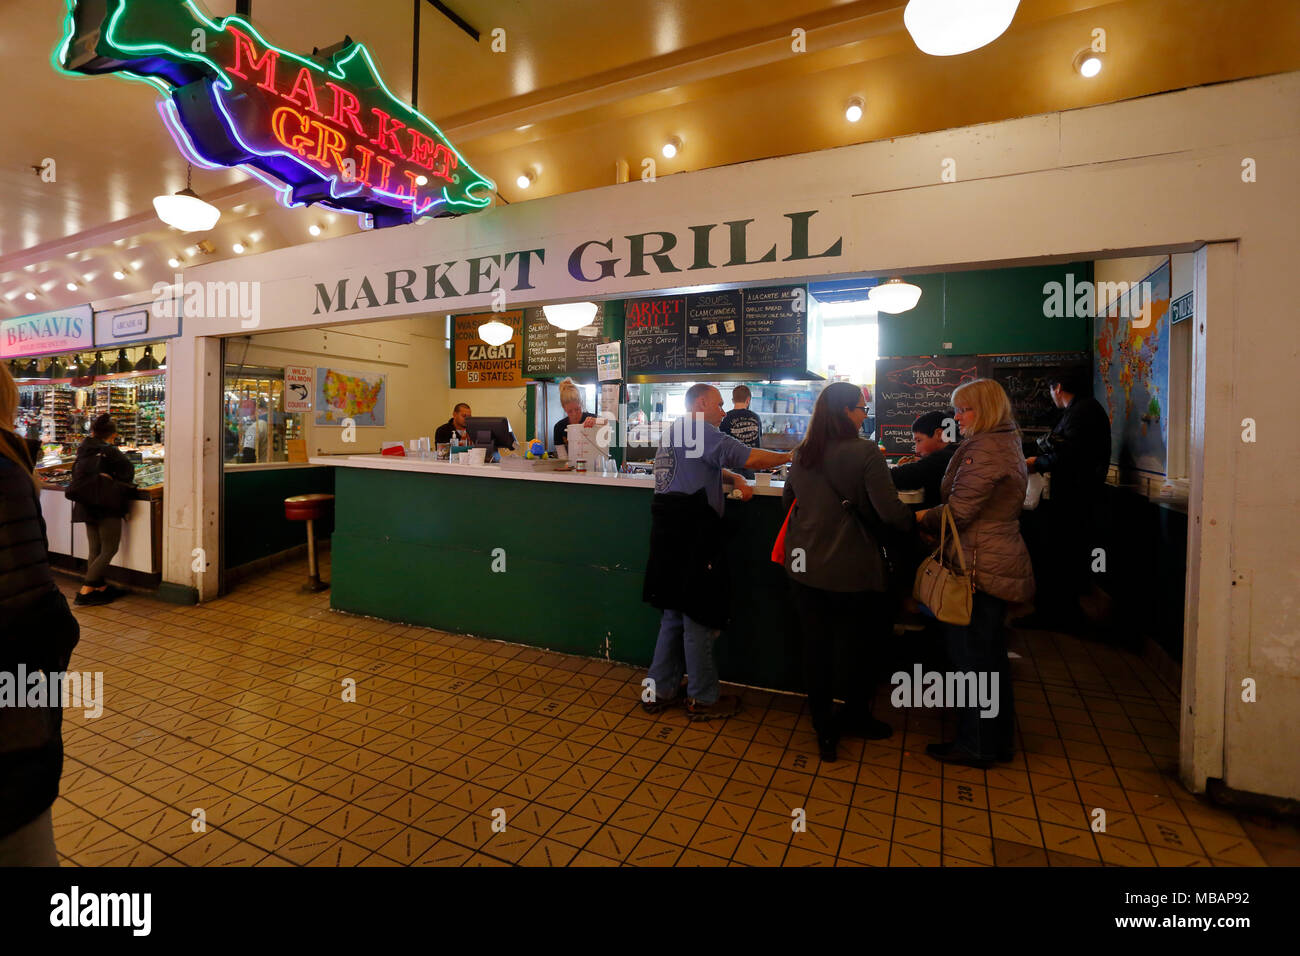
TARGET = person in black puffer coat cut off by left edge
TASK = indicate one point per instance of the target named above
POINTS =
(38, 633)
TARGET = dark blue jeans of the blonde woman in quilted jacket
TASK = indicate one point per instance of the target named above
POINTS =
(981, 647)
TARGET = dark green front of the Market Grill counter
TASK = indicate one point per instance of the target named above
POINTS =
(551, 564)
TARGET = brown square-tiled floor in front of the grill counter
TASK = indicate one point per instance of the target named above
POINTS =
(236, 710)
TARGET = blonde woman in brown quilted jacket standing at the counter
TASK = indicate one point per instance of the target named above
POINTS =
(985, 491)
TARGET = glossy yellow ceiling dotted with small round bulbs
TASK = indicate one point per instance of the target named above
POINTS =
(582, 85)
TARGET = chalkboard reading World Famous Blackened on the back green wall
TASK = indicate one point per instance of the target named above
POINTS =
(908, 388)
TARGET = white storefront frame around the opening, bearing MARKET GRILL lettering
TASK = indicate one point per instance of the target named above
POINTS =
(1125, 179)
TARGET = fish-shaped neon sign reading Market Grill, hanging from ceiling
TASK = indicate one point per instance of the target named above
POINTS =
(326, 126)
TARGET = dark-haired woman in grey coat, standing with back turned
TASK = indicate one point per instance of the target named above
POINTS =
(835, 564)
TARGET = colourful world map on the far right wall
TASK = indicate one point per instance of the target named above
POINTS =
(1132, 347)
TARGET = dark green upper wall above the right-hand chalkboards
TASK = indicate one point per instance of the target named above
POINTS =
(986, 312)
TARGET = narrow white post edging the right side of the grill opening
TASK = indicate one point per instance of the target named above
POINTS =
(1212, 457)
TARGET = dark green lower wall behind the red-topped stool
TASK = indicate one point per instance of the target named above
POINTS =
(254, 513)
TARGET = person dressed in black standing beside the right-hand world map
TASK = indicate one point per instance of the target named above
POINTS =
(1077, 456)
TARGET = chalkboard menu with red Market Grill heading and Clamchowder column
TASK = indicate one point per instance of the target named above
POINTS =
(751, 330)
